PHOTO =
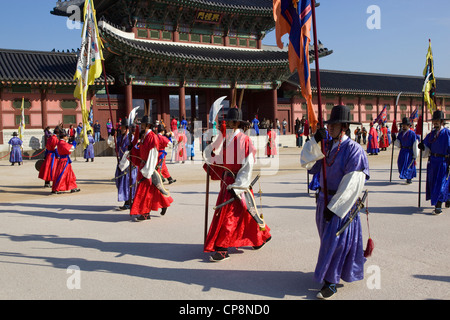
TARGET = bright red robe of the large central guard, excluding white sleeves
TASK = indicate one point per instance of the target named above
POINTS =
(232, 225)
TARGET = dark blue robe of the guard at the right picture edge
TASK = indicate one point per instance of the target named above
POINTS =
(437, 144)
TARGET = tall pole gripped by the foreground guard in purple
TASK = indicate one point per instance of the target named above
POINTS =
(319, 97)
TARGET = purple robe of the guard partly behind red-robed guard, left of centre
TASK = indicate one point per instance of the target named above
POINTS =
(123, 183)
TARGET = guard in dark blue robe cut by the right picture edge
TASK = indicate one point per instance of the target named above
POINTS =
(436, 146)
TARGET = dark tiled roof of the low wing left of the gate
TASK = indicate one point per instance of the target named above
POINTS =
(38, 67)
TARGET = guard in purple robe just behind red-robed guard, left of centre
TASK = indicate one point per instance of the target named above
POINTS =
(123, 170)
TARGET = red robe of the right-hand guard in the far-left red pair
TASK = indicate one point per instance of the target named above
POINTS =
(64, 178)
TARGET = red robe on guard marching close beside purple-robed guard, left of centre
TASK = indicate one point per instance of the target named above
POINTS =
(148, 197)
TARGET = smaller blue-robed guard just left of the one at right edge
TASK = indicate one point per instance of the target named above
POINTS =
(408, 141)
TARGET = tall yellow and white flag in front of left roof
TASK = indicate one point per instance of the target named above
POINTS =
(89, 66)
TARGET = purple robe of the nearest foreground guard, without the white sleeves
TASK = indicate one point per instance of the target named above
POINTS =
(340, 257)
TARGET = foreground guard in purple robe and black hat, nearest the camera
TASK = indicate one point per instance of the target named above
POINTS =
(347, 169)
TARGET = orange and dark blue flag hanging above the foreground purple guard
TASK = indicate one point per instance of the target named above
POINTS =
(295, 17)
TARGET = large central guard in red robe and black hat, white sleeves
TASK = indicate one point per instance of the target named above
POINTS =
(232, 225)
